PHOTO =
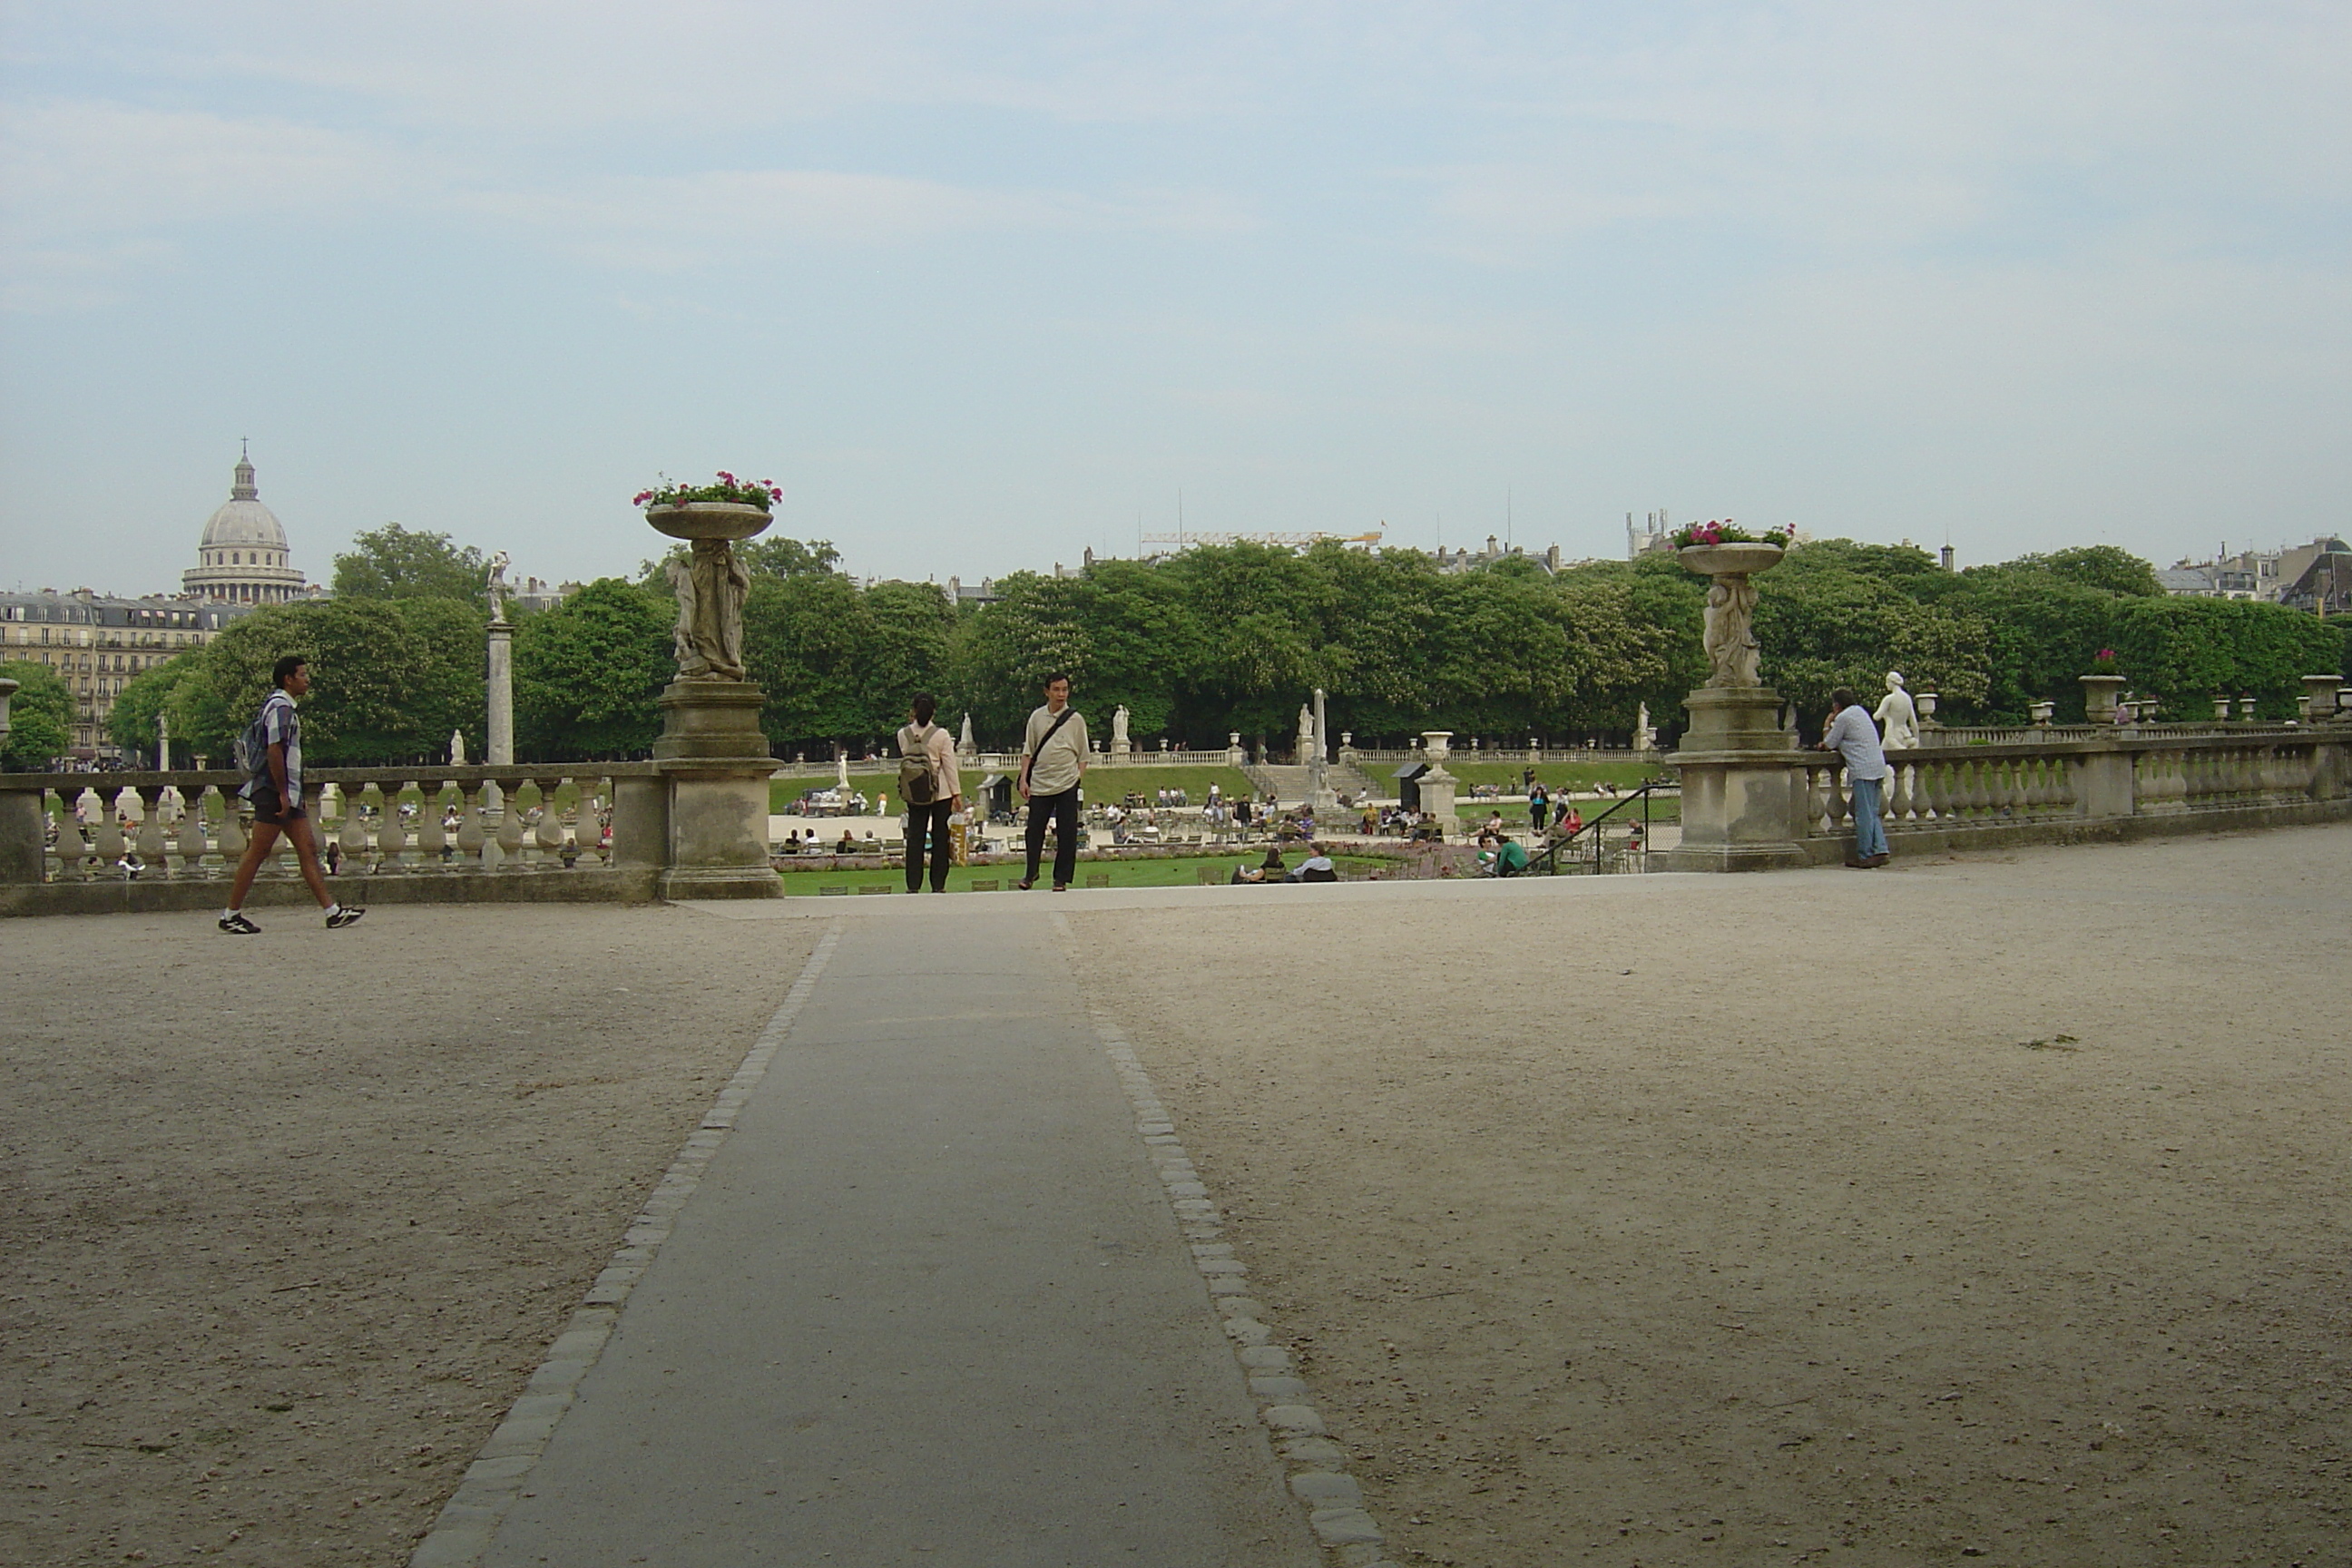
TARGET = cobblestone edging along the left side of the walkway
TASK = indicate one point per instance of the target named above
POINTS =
(462, 1532)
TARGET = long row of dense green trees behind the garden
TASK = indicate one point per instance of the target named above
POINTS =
(1217, 641)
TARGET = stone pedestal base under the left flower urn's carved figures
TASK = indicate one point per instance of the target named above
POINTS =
(716, 765)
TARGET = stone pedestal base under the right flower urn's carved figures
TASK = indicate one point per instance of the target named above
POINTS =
(1742, 786)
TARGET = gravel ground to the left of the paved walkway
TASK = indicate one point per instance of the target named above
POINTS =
(295, 1217)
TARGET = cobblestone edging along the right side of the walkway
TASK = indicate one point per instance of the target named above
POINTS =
(1318, 1468)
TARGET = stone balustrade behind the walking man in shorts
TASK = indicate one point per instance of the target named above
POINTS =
(192, 826)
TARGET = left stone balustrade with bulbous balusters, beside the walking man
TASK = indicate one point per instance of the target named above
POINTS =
(584, 831)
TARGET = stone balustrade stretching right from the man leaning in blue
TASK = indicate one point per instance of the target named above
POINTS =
(2118, 775)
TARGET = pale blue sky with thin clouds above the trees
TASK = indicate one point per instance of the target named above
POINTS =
(989, 286)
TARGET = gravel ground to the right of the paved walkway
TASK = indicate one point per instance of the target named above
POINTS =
(1975, 1209)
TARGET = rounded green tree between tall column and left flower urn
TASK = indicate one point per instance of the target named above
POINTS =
(589, 674)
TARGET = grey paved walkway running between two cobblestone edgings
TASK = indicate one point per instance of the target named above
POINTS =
(928, 1306)
